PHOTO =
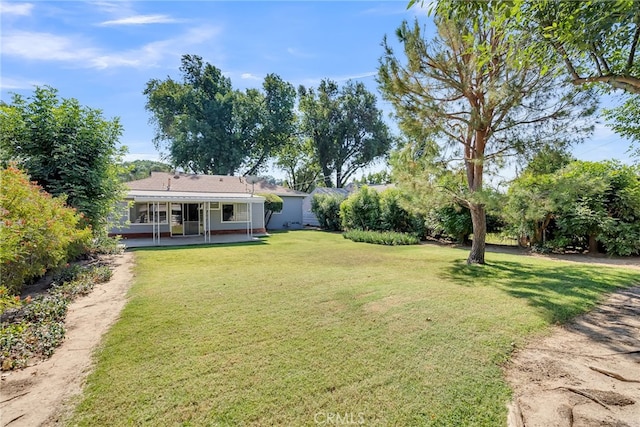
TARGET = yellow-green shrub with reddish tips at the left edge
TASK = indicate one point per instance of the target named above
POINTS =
(37, 232)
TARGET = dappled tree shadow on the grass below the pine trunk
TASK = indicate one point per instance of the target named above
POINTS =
(560, 292)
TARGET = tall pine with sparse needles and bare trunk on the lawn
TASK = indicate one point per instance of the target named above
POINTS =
(466, 91)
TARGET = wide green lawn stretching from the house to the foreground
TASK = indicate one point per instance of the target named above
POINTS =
(308, 328)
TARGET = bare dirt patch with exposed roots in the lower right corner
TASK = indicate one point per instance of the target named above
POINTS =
(586, 373)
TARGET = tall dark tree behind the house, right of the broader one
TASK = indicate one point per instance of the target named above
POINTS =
(345, 127)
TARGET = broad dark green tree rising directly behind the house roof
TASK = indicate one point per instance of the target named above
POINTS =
(210, 128)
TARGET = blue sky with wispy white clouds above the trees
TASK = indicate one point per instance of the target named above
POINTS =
(104, 52)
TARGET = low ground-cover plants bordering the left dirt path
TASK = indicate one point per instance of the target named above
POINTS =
(33, 328)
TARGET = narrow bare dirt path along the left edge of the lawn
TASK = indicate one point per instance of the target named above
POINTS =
(37, 395)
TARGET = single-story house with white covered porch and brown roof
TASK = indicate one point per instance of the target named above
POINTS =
(167, 205)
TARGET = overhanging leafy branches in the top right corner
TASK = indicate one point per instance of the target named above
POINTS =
(597, 41)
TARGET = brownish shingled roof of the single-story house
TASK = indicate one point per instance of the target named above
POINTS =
(170, 183)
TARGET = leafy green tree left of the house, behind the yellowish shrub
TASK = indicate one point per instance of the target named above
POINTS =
(69, 149)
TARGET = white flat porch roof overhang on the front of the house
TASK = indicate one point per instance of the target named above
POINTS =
(191, 197)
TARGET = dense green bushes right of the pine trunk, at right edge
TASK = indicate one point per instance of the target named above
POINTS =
(585, 205)
